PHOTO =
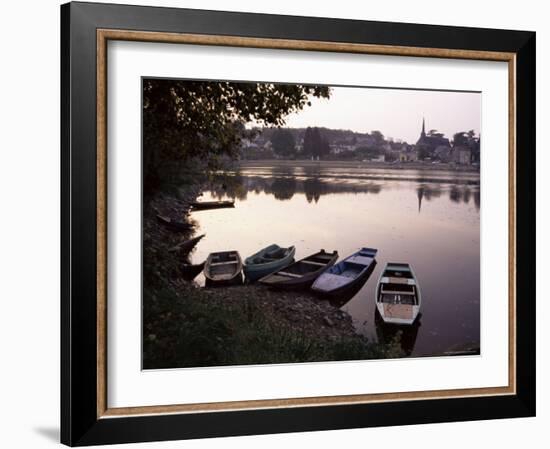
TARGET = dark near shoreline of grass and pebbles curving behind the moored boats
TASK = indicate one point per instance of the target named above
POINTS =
(247, 324)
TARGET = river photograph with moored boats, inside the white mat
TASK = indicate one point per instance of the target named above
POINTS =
(293, 223)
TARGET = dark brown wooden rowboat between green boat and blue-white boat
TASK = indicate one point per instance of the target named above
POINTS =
(302, 273)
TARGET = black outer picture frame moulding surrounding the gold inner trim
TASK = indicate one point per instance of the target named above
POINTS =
(80, 424)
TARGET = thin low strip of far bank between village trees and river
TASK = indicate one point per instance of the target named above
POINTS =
(359, 164)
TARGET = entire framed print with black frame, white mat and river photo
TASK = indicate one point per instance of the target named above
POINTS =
(279, 224)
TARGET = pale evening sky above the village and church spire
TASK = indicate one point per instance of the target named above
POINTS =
(396, 113)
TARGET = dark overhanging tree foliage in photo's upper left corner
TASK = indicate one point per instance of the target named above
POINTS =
(201, 119)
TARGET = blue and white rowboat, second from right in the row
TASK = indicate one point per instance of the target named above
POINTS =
(346, 274)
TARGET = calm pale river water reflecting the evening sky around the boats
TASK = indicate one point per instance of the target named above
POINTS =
(427, 218)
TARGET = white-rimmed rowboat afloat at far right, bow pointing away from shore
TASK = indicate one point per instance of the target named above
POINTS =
(398, 296)
